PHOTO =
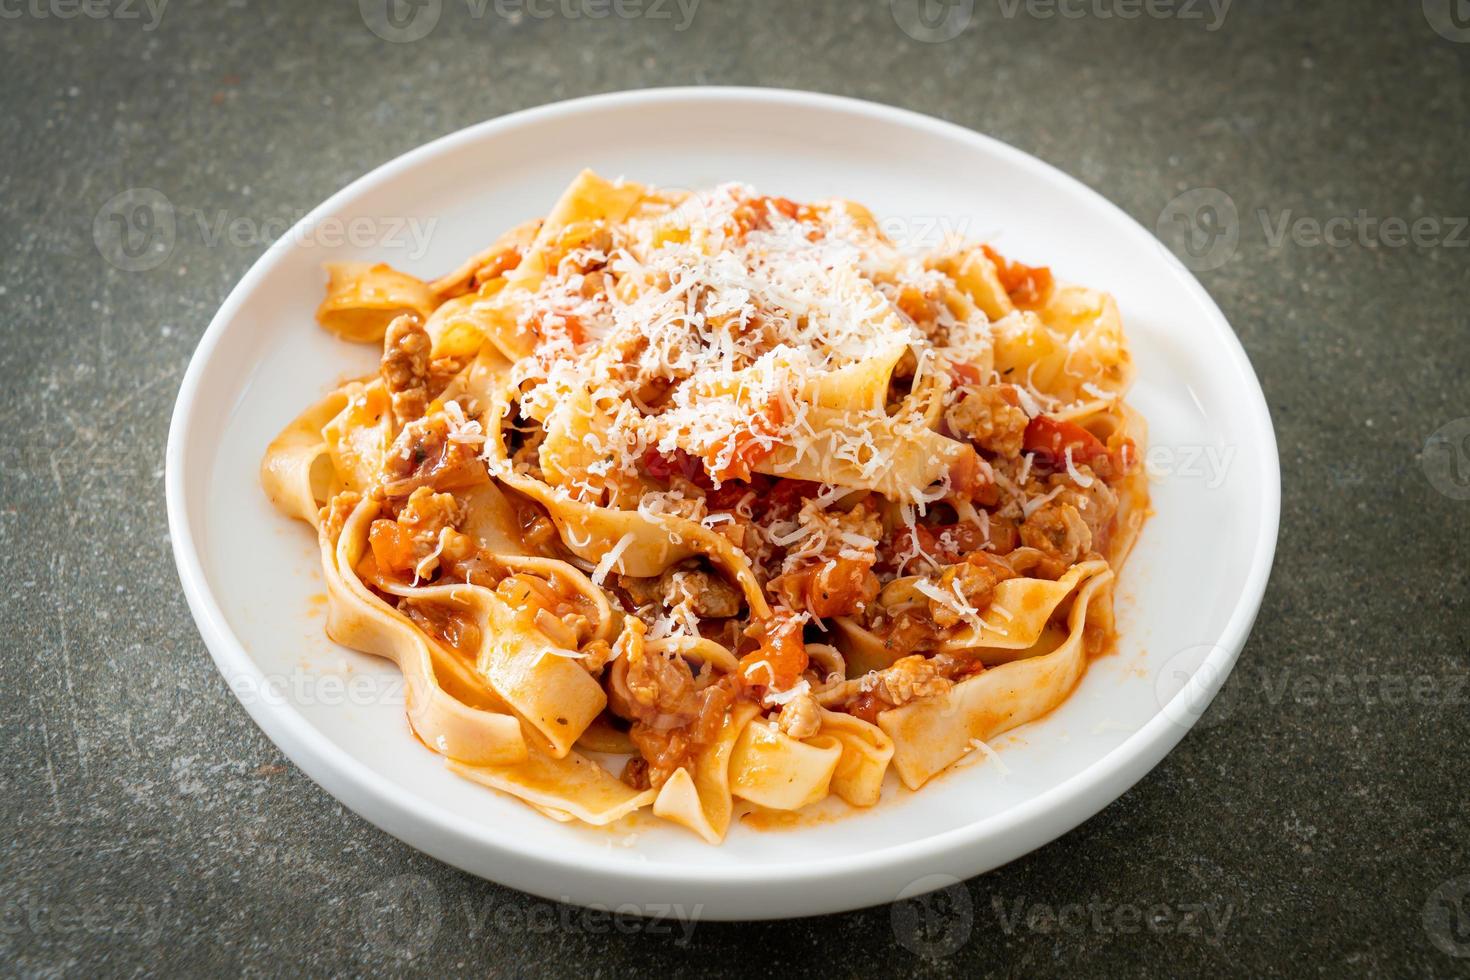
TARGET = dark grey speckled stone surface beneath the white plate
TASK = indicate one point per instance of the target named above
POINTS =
(148, 825)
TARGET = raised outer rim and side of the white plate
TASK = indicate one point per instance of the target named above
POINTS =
(373, 796)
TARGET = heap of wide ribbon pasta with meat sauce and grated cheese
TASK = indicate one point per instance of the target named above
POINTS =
(693, 503)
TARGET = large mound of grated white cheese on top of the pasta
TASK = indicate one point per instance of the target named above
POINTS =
(730, 328)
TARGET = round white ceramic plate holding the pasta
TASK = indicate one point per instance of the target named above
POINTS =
(1187, 600)
